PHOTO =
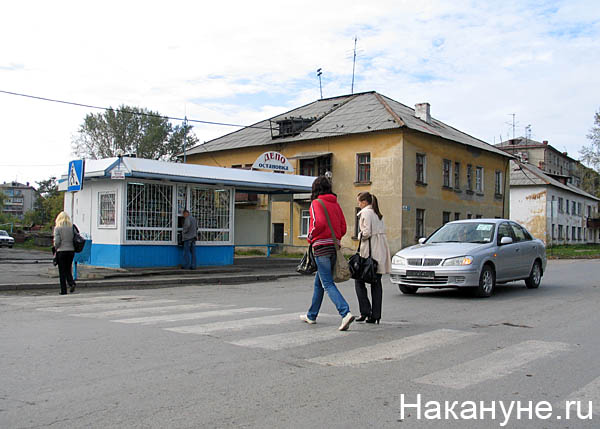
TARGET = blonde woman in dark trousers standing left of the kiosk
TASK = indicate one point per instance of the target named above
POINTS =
(65, 251)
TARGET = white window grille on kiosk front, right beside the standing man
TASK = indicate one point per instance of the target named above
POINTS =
(212, 210)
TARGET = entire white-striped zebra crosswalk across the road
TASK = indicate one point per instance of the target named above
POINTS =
(276, 329)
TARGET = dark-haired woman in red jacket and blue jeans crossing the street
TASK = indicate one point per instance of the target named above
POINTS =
(319, 235)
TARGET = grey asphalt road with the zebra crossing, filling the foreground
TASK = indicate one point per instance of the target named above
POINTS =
(238, 356)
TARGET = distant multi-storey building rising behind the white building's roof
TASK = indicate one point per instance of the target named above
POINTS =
(545, 157)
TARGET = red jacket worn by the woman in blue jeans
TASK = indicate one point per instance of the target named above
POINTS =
(319, 233)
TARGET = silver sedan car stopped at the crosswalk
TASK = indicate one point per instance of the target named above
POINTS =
(476, 253)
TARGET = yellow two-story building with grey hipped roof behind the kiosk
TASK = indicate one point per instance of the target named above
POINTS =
(423, 171)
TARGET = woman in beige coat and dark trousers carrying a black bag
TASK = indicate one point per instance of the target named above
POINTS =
(372, 227)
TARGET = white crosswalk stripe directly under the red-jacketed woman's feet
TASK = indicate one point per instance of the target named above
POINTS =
(289, 339)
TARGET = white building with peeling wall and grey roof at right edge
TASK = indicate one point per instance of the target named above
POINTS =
(553, 211)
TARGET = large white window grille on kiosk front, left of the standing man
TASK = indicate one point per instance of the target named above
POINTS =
(149, 212)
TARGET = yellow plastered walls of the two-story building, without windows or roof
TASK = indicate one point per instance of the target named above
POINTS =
(393, 176)
